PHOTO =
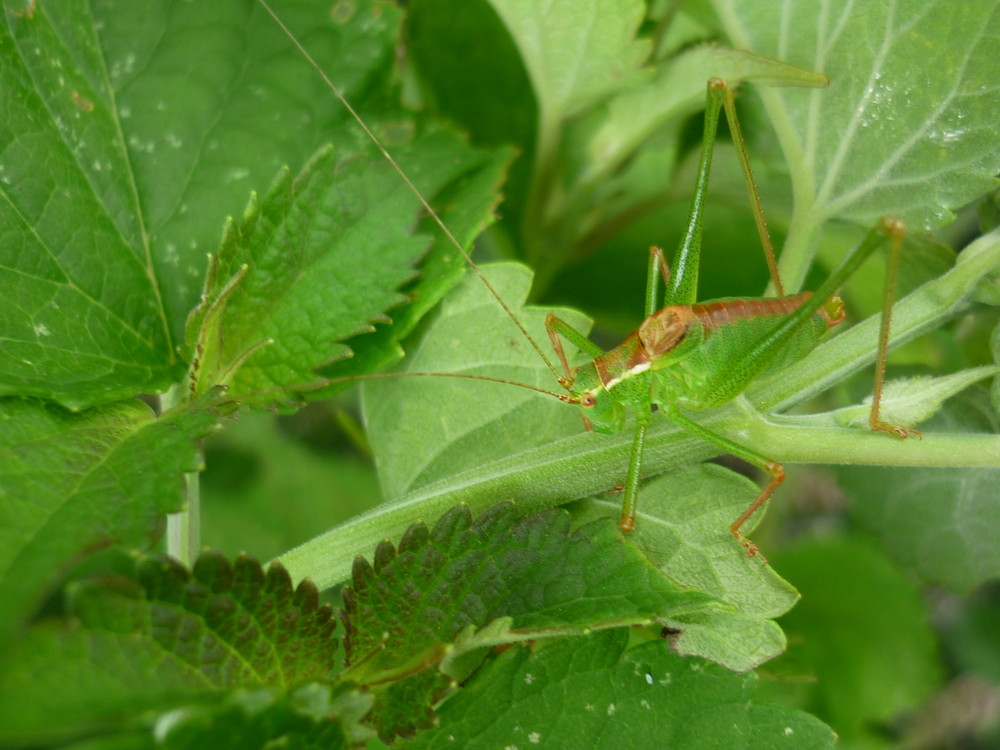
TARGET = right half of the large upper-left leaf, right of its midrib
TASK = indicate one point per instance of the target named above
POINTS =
(214, 100)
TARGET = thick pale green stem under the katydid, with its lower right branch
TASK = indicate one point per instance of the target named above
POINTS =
(565, 471)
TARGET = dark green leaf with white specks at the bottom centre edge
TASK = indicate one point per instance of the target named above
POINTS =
(592, 692)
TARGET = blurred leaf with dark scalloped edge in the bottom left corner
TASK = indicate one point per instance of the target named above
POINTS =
(164, 640)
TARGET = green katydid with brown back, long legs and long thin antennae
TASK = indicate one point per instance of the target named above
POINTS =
(685, 356)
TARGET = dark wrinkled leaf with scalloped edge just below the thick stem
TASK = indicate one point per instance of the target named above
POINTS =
(533, 574)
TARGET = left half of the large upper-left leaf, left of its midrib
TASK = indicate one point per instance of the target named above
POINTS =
(83, 322)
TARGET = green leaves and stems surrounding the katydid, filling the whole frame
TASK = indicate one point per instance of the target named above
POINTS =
(131, 136)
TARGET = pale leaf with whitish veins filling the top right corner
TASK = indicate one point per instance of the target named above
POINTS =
(906, 126)
